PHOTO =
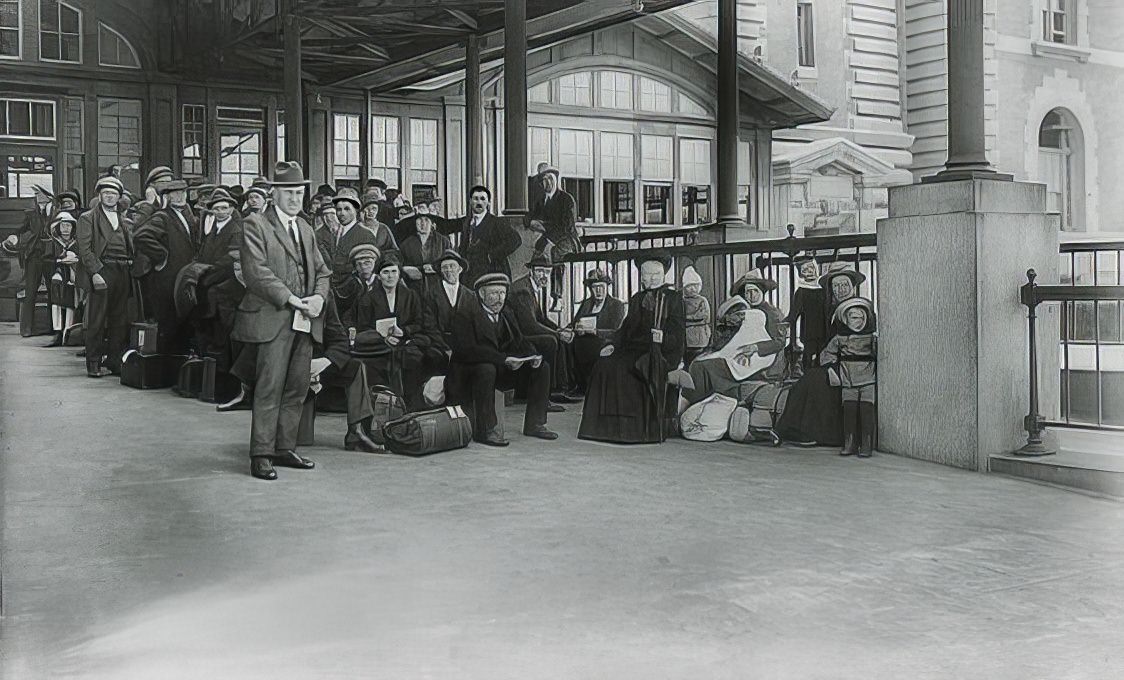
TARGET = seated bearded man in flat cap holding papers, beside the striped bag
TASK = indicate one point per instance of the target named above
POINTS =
(490, 351)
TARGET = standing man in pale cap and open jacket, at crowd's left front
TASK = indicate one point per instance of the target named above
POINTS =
(105, 252)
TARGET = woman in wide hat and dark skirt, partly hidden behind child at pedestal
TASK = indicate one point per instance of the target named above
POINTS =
(814, 413)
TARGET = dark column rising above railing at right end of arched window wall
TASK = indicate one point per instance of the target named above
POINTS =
(728, 113)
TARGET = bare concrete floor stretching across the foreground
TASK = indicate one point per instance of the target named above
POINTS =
(135, 546)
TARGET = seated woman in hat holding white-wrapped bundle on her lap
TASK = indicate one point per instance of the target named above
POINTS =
(748, 357)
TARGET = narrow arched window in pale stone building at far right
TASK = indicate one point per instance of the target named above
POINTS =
(1062, 164)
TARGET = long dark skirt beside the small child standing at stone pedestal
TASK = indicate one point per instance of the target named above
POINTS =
(814, 412)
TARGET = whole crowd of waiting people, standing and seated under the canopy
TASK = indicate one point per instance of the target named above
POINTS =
(355, 287)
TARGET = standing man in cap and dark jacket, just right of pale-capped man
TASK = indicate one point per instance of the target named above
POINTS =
(167, 242)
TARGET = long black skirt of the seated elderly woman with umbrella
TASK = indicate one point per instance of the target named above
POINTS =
(620, 406)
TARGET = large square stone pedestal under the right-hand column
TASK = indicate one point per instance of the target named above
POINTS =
(953, 357)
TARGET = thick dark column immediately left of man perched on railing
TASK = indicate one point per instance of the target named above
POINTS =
(515, 107)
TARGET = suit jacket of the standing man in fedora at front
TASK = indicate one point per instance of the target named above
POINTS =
(271, 271)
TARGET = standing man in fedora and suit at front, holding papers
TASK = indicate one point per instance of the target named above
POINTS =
(282, 315)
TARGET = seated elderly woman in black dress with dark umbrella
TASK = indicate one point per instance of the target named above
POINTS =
(628, 400)
